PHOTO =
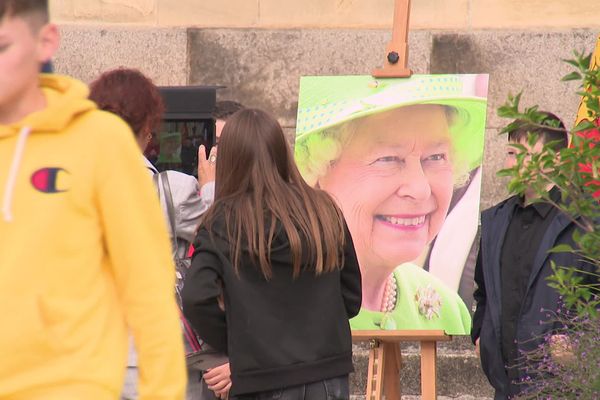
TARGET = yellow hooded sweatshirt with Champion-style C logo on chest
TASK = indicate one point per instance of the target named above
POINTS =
(84, 256)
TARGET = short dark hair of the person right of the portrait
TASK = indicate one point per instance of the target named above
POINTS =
(552, 133)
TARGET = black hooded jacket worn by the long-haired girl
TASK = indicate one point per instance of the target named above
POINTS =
(280, 332)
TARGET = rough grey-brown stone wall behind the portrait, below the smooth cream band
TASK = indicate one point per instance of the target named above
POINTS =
(262, 67)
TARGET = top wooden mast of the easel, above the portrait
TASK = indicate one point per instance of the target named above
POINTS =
(396, 59)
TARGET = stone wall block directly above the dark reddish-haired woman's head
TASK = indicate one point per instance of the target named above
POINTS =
(87, 51)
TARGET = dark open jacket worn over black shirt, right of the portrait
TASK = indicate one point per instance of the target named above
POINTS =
(533, 321)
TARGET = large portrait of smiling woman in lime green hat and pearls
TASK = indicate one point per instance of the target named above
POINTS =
(402, 158)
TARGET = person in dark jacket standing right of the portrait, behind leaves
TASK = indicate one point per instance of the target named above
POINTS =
(513, 297)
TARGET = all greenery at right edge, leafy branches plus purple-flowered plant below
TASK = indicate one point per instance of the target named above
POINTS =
(576, 172)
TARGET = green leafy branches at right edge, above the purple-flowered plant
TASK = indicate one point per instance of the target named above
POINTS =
(575, 171)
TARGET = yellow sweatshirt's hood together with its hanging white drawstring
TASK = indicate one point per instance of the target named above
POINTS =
(66, 98)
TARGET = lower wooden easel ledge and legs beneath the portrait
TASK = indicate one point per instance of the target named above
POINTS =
(385, 361)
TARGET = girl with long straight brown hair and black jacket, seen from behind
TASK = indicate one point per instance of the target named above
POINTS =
(280, 254)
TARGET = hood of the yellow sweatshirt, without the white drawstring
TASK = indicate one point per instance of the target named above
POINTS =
(66, 98)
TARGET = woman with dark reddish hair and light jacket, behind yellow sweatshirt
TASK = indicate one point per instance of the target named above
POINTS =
(132, 96)
